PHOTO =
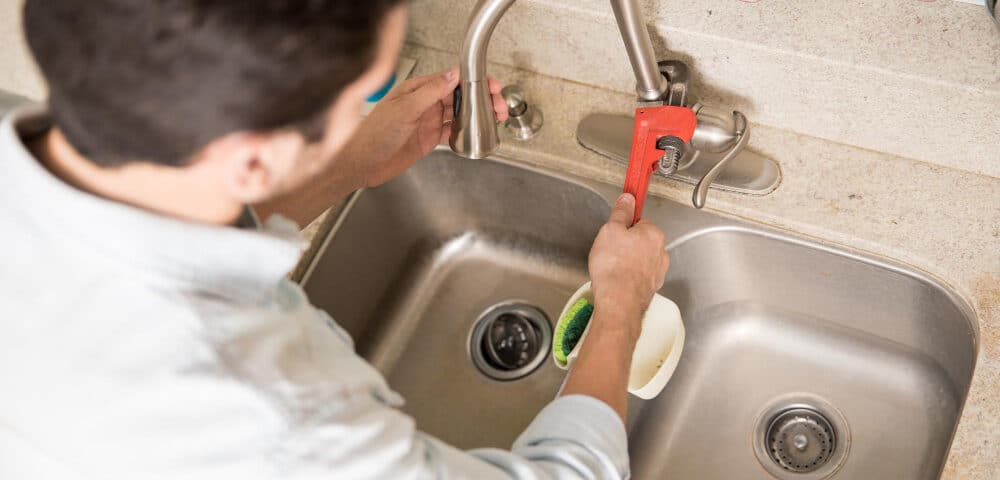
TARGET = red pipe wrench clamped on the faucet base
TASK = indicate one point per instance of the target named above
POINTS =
(652, 123)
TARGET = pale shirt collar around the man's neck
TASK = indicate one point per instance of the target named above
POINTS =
(240, 264)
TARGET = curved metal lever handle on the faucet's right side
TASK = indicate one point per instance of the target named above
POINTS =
(714, 133)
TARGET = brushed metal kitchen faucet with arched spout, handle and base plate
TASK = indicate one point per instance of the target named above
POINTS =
(474, 131)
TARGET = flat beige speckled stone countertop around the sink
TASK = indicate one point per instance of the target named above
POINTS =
(942, 221)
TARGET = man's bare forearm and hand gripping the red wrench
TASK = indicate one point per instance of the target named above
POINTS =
(627, 266)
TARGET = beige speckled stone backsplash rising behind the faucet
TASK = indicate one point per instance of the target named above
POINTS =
(912, 78)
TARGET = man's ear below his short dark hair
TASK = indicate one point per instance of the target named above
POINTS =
(253, 165)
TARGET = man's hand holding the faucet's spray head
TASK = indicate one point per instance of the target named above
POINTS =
(407, 124)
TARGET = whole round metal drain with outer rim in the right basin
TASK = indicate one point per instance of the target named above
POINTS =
(801, 437)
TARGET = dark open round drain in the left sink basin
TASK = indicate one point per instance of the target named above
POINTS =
(510, 340)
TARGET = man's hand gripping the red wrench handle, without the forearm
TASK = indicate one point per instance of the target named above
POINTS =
(627, 264)
